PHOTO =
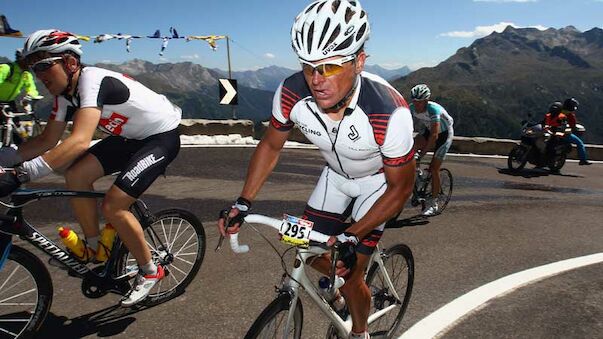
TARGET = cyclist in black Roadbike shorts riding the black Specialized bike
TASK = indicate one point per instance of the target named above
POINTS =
(143, 141)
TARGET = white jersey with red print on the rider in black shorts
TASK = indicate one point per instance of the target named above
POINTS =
(128, 108)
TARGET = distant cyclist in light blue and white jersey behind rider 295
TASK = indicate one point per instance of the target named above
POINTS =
(435, 130)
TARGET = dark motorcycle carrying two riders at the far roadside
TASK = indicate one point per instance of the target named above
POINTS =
(540, 147)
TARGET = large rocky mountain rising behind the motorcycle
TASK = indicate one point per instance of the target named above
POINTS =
(490, 86)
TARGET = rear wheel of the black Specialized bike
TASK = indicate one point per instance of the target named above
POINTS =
(180, 268)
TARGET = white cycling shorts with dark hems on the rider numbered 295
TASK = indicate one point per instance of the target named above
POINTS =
(336, 198)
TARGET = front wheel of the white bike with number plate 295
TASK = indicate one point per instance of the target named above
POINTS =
(267, 323)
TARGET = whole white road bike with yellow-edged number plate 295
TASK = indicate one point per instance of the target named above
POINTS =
(390, 277)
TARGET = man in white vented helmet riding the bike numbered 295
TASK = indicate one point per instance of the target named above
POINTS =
(362, 127)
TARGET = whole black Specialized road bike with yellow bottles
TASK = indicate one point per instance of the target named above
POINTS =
(175, 236)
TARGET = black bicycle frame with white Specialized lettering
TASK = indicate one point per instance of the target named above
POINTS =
(13, 223)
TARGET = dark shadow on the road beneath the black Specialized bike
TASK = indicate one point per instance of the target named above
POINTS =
(107, 322)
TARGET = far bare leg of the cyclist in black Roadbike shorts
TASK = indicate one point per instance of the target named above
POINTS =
(81, 176)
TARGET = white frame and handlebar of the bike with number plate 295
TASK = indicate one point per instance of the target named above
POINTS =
(298, 277)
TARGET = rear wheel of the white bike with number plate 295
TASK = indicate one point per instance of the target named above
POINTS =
(399, 264)
